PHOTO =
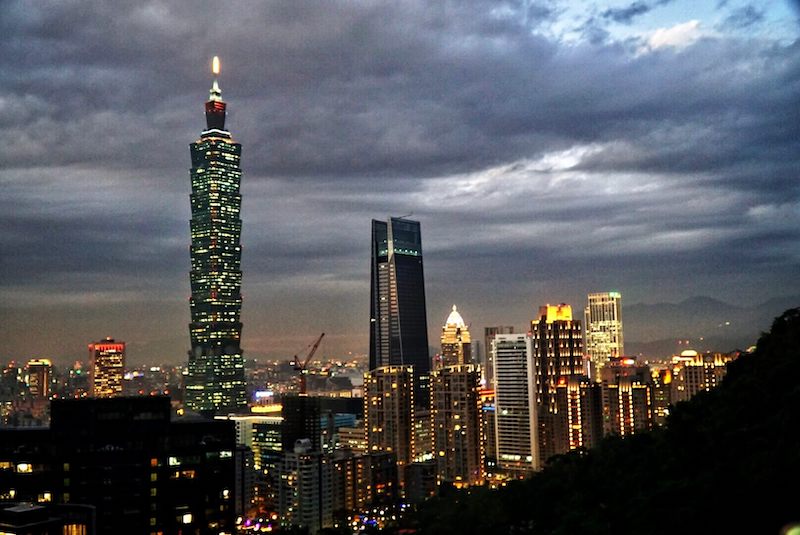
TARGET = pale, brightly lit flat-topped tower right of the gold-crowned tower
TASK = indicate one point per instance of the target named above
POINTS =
(603, 326)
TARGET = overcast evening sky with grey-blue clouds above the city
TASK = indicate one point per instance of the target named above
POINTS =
(548, 147)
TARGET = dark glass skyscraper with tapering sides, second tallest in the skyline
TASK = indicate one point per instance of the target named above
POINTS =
(398, 321)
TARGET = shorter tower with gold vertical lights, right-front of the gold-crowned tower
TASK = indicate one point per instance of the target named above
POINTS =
(580, 413)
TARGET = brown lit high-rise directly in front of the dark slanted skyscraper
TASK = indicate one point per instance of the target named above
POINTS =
(389, 412)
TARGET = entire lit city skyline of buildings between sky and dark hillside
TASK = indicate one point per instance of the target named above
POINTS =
(221, 463)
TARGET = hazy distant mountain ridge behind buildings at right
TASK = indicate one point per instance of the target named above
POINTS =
(653, 330)
